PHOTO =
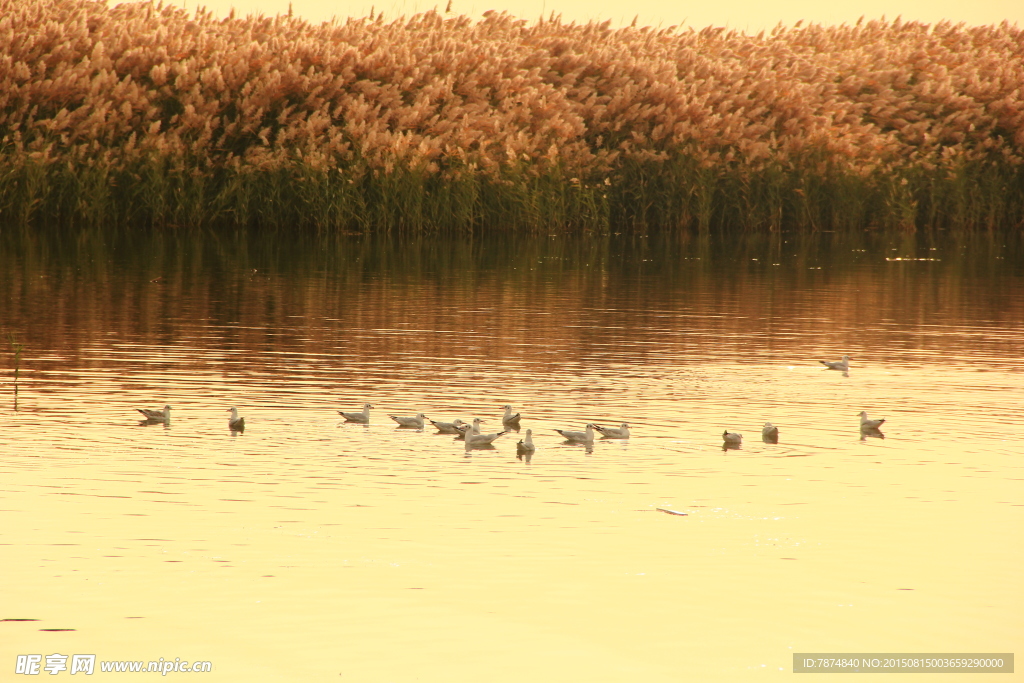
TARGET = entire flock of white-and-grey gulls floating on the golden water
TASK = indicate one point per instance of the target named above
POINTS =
(475, 439)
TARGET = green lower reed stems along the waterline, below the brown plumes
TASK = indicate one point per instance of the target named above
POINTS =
(664, 196)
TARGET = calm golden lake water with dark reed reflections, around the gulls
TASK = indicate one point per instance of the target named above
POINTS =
(312, 549)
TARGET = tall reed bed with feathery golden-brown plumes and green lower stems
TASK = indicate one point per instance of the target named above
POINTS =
(145, 115)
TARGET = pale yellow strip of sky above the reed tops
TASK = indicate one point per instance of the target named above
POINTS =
(750, 16)
